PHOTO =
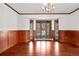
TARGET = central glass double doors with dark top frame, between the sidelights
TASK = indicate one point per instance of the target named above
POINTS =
(43, 30)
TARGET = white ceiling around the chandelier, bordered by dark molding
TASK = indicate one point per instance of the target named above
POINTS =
(37, 7)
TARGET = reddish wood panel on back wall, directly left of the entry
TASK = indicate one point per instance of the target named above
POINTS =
(23, 35)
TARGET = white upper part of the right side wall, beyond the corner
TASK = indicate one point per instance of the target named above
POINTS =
(74, 24)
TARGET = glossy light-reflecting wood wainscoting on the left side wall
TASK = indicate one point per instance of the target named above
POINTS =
(7, 39)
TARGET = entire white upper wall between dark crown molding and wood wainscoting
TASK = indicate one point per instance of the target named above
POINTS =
(10, 20)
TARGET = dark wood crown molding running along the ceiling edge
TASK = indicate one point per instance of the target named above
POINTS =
(39, 13)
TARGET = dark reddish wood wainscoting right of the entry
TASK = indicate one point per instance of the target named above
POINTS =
(69, 36)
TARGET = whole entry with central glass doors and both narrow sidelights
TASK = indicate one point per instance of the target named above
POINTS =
(43, 30)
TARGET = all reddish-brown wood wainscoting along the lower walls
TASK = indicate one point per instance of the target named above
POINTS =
(12, 37)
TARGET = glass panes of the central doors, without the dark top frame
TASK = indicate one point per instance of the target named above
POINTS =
(43, 30)
